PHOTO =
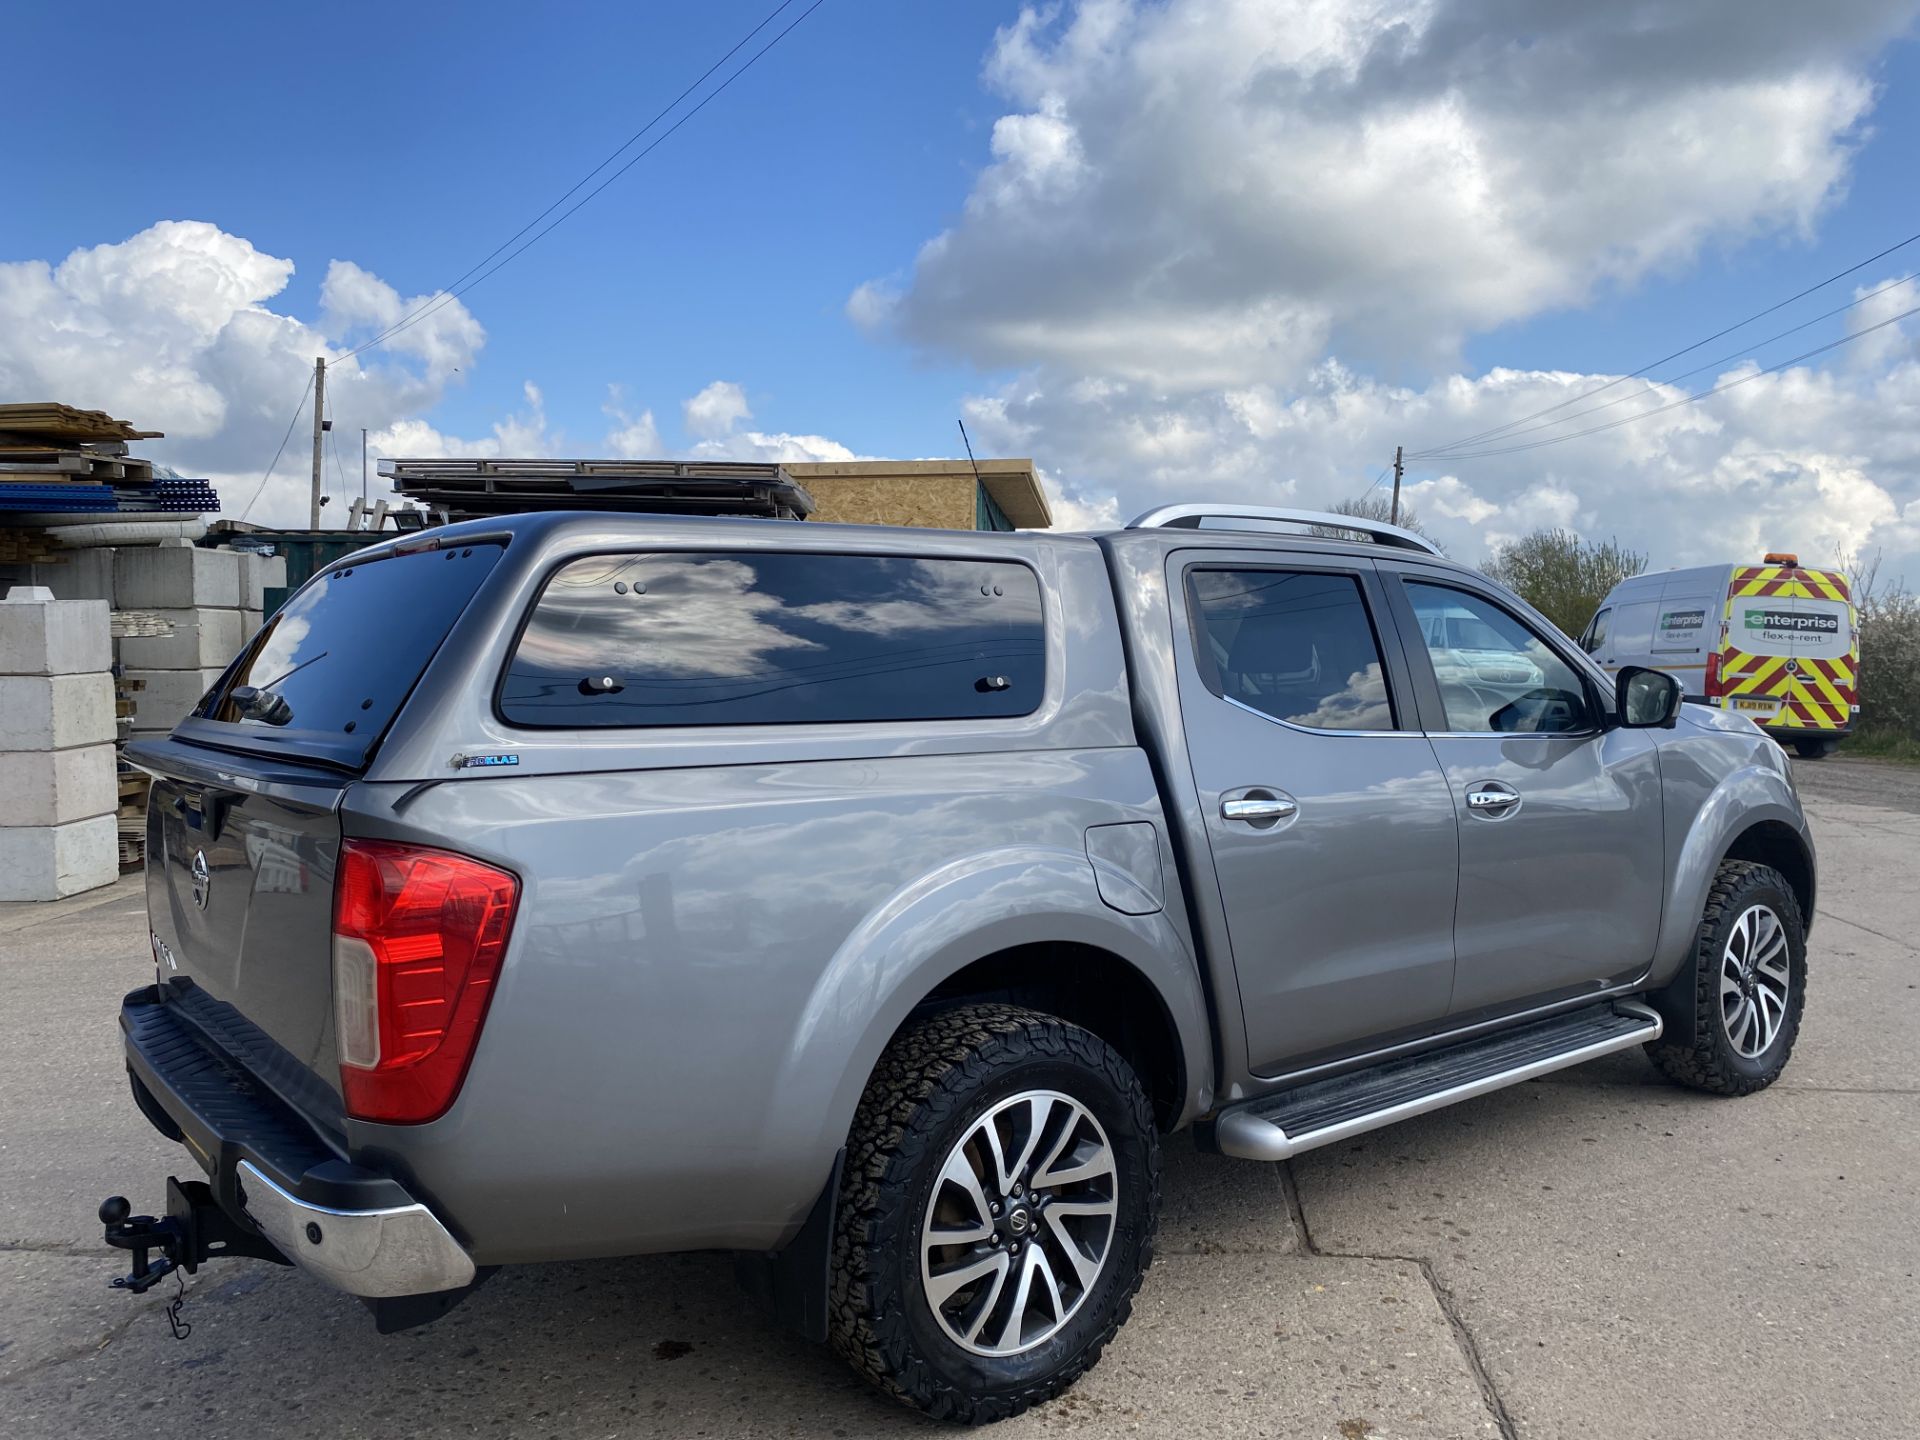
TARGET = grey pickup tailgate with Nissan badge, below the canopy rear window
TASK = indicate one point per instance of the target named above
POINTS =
(239, 896)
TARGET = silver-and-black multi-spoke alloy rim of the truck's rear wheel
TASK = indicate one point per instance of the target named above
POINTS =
(1020, 1224)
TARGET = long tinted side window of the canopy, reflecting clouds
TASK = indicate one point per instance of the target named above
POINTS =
(761, 638)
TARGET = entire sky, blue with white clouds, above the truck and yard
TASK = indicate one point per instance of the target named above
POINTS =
(1107, 302)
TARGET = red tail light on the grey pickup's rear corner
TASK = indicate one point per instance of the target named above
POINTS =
(418, 946)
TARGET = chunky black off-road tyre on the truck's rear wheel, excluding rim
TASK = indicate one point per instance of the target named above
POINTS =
(932, 1084)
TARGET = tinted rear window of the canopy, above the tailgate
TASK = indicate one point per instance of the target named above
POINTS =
(347, 652)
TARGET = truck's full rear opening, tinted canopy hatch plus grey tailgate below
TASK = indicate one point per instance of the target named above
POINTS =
(245, 809)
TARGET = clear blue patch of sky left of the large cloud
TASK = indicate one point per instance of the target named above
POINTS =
(418, 149)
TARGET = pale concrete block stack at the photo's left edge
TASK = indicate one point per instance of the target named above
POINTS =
(57, 748)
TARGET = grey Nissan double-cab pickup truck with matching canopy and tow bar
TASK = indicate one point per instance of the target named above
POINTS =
(871, 901)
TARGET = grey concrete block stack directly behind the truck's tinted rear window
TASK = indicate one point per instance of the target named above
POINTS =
(214, 602)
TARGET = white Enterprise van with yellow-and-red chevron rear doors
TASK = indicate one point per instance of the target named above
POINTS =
(1775, 642)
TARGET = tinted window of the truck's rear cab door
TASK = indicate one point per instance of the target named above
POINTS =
(1293, 644)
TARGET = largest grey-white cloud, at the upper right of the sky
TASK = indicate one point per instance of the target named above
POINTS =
(1211, 193)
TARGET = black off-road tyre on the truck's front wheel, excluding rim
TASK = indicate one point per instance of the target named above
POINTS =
(1712, 1063)
